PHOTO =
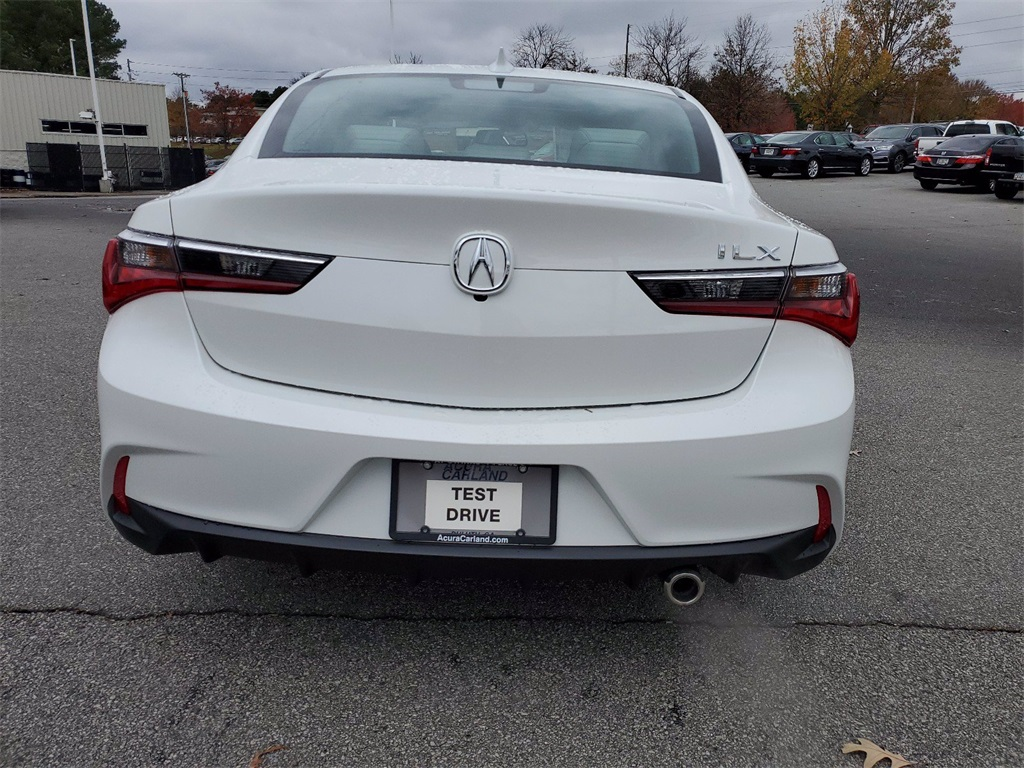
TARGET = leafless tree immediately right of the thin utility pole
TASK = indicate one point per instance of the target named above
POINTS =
(668, 55)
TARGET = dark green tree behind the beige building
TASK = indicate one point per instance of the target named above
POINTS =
(34, 37)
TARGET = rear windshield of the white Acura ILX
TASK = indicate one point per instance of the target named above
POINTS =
(497, 120)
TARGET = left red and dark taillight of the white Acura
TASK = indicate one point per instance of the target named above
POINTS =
(137, 265)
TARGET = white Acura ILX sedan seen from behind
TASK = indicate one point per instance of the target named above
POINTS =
(452, 320)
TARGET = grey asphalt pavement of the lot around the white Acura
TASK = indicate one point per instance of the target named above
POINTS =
(909, 636)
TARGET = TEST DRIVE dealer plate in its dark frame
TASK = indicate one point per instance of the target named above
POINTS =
(414, 500)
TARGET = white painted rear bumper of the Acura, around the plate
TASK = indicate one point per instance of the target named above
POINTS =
(223, 449)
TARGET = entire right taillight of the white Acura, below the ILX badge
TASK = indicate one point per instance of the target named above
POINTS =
(825, 296)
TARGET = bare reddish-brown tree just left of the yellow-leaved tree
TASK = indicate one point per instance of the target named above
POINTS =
(743, 78)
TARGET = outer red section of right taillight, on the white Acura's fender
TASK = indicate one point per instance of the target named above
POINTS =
(831, 303)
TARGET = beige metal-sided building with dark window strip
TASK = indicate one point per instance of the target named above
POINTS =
(40, 108)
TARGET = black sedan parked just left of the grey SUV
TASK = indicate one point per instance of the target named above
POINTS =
(809, 154)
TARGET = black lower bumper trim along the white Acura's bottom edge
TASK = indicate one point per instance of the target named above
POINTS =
(162, 533)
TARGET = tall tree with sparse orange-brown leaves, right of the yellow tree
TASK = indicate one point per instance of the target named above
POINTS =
(909, 39)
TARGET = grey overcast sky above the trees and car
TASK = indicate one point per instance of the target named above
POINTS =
(252, 45)
